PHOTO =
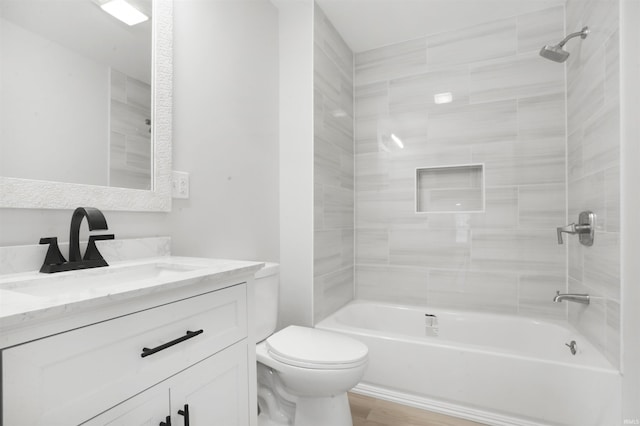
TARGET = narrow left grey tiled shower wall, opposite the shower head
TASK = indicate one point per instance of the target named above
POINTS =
(333, 169)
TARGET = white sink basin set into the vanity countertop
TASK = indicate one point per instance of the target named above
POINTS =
(98, 281)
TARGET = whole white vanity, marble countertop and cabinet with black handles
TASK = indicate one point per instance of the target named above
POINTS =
(154, 341)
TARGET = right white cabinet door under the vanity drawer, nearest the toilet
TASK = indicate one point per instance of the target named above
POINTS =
(215, 390)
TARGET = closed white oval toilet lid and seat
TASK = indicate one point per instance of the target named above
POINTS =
(312, 348)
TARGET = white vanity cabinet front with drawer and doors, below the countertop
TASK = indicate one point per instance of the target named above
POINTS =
(140, 367)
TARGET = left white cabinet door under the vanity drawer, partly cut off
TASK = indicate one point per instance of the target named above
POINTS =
(148, 408)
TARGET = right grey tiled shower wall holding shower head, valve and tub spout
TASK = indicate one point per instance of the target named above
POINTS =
(593, 117)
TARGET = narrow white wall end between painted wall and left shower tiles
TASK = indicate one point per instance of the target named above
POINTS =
(296, 161)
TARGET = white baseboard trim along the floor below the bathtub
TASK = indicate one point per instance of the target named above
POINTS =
(450, 409)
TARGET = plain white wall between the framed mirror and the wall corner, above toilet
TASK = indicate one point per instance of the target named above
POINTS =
(226, 128)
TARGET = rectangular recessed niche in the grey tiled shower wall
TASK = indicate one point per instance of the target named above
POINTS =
(444, 189)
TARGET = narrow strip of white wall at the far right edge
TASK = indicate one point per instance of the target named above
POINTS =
(630, 176)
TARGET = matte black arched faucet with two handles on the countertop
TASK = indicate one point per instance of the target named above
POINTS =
(54, 260)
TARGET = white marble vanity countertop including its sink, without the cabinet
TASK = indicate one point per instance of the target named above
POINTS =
(31, 296)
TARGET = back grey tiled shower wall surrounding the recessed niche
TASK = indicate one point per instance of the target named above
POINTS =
(508, 112)
